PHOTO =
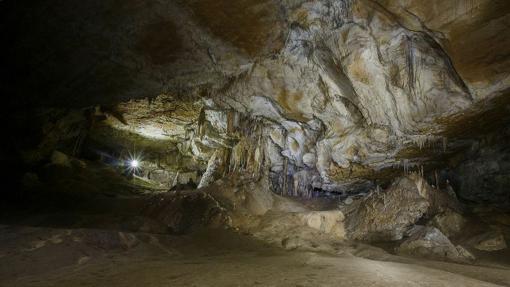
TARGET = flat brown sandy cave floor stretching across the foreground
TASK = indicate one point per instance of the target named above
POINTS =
(40, 256)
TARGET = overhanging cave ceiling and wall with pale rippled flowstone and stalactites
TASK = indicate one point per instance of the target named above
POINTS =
(347, 91)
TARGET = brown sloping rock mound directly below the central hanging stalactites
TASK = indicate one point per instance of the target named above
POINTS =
(254, 209)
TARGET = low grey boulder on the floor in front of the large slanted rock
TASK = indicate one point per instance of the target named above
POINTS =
(429, 242)
